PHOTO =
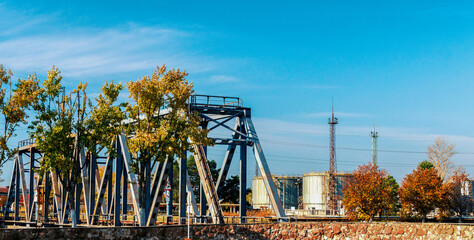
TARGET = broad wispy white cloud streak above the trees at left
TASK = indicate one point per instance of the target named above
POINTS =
(84, 53)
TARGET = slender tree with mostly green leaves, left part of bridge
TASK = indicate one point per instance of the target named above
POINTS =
(59, 132)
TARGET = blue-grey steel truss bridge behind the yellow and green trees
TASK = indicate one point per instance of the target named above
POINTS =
(105, 197)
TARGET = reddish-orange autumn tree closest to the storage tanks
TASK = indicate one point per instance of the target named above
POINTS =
(369, 192)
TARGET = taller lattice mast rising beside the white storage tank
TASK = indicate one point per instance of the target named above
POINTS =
(332, 195)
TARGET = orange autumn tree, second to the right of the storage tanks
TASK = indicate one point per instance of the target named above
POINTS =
(421, 192)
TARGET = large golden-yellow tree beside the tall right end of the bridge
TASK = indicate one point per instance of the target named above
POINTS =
(161, 125)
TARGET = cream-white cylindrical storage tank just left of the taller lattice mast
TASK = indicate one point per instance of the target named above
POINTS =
(314, 191)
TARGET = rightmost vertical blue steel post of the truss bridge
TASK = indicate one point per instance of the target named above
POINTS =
(243, 182)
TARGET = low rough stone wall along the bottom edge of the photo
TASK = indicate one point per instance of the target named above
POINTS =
(314, 230)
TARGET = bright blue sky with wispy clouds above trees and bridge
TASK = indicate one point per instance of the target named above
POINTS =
(407, 66)
